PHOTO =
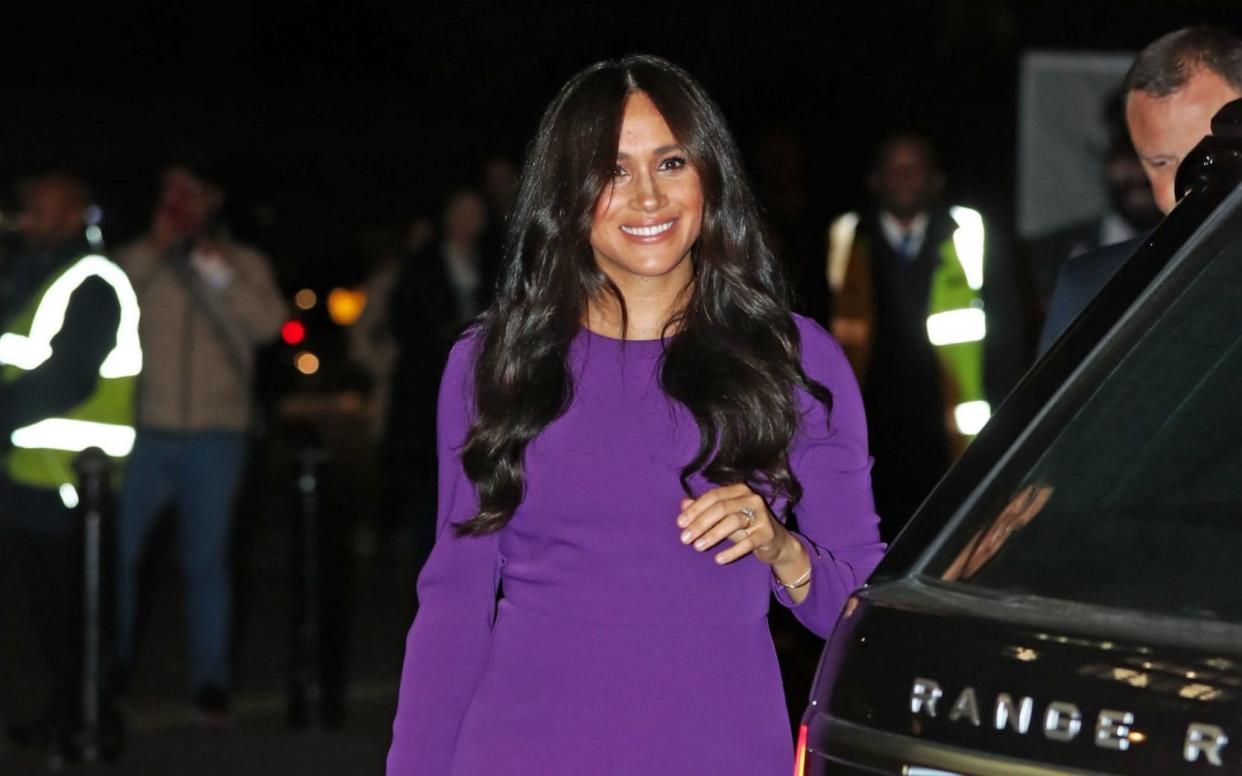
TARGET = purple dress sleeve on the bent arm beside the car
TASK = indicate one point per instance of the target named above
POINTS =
(836, 518)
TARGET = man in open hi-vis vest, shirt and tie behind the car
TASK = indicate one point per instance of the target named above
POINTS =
(926, 306)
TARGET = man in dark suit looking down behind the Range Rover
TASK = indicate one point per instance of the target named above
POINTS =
(1172, 92)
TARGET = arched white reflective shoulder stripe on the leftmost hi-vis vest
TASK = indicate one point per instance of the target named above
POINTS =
(126, 359)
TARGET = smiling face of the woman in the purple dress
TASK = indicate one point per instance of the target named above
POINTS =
(648, 220)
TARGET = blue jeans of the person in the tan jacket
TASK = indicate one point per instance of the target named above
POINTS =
(201, 472)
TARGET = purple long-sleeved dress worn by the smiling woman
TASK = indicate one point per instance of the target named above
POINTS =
(615, 650)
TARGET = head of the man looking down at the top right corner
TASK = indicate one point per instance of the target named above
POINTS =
(1173, 90)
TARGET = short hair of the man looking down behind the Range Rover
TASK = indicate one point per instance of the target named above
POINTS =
(1168, 63)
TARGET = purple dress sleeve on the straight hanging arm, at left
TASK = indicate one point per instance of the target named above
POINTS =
(449, 644)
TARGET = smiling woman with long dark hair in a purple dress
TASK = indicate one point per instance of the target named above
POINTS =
(625, 443)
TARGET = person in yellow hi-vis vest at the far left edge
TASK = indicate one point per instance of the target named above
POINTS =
(70, 358)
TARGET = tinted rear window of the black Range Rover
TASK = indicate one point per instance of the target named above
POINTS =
(1137, 502)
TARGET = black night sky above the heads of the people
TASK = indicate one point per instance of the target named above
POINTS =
(336, 119)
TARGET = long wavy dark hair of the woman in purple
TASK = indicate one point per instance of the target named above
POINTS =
(735, 358)
